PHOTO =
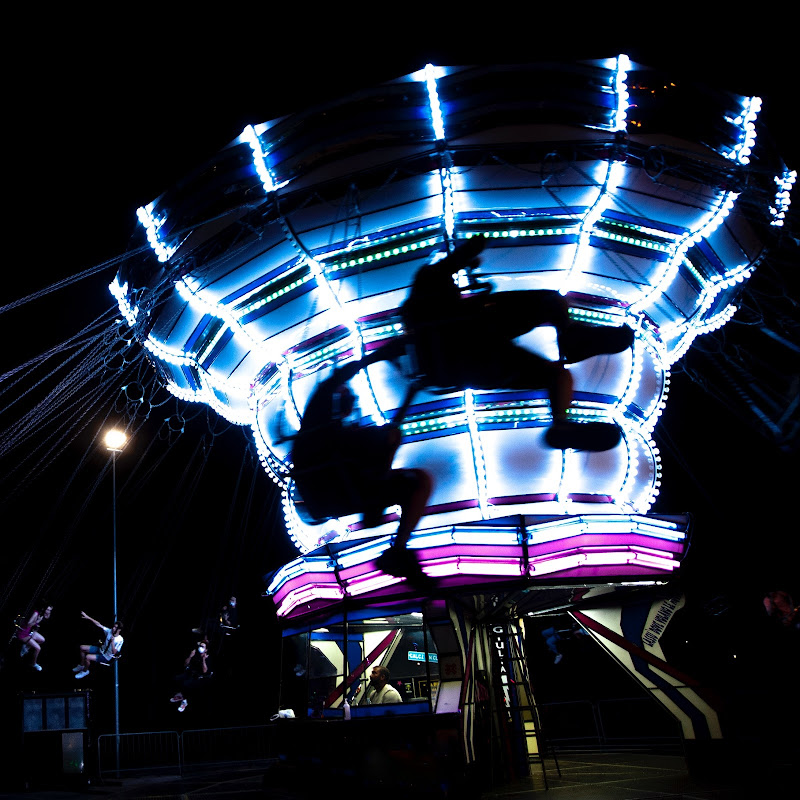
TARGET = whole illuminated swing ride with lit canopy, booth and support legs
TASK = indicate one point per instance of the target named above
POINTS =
(643, 202)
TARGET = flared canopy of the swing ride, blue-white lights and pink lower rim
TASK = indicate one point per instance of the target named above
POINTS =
(645, 202)
